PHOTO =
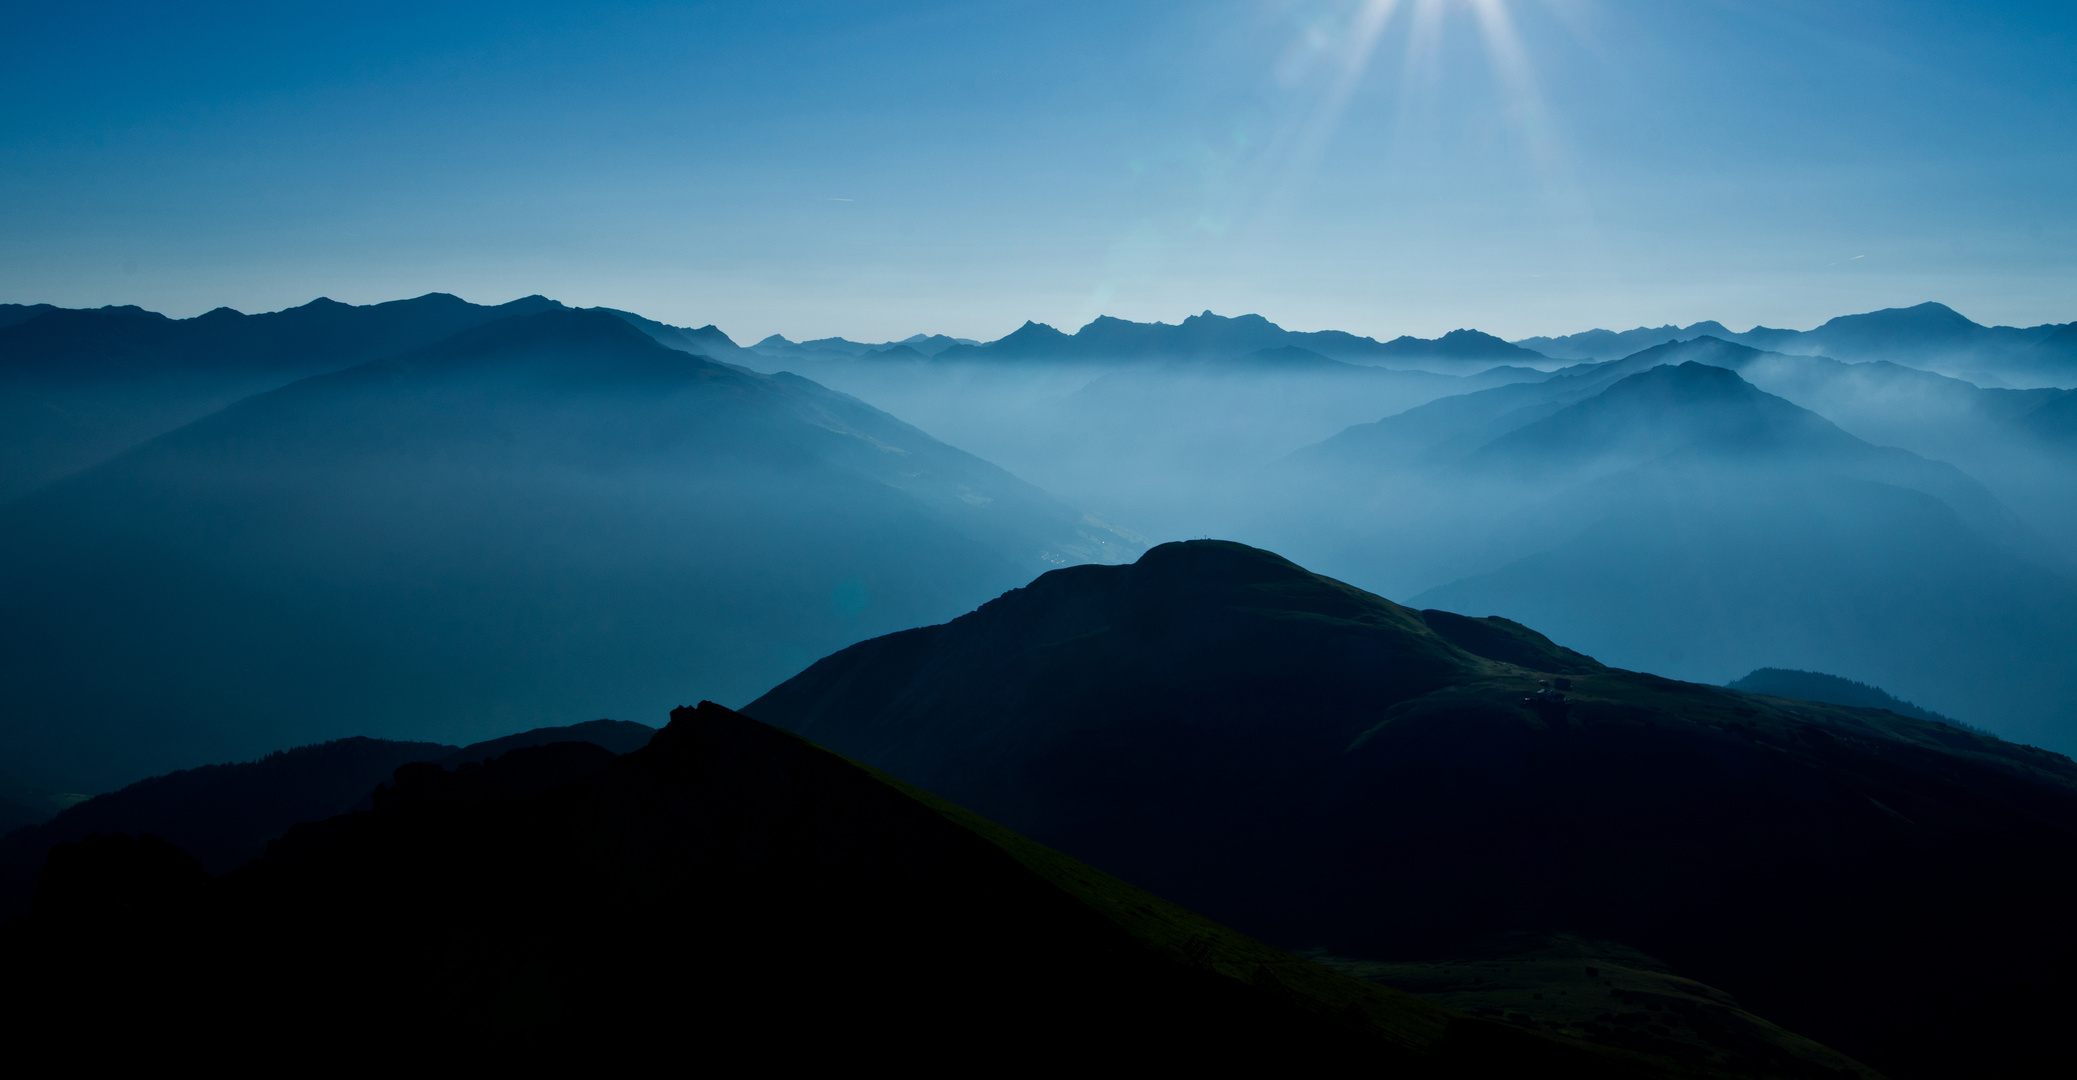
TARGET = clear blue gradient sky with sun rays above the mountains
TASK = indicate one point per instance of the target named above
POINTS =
(959, 167)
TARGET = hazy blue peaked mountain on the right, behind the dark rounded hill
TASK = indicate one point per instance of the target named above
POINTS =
(1665, 512)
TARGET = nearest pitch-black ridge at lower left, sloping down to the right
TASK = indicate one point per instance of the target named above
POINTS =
(728, 890)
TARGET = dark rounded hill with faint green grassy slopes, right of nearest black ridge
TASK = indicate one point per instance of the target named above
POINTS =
(1332, 772)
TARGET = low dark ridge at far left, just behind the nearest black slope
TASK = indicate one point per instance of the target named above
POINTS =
(225, 815)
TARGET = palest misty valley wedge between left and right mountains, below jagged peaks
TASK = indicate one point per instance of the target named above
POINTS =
(1145, 443)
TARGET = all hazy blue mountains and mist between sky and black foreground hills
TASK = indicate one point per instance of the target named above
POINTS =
(628, 518)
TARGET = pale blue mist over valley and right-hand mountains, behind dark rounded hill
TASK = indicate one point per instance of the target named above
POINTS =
(1694, 508)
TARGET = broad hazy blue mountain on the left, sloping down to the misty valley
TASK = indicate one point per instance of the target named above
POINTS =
(539, 518)
